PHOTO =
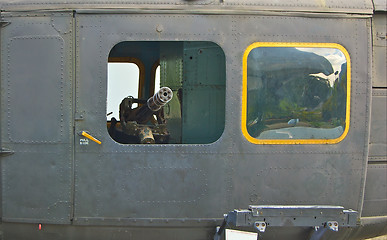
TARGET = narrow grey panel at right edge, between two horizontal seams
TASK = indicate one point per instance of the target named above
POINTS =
(378, 134)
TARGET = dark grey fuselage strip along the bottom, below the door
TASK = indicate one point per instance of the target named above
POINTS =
(188, 232)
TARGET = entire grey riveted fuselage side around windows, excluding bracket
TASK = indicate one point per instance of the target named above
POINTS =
(142, 191)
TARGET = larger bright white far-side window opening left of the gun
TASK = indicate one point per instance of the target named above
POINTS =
(123, 81)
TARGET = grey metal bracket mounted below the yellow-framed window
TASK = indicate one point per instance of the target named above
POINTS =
(319, 218)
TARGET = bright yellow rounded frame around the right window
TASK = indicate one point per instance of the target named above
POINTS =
(298, 45)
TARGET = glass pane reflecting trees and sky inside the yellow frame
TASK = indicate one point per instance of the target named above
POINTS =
(296, 93)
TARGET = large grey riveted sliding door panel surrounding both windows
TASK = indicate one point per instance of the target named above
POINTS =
(234, 172)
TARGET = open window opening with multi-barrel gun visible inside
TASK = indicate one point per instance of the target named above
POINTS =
(181, 99)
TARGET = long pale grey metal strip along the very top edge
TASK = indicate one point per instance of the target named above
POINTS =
(347, 6)
